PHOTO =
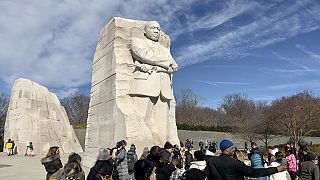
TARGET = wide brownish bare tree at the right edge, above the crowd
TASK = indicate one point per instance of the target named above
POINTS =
(296, 116)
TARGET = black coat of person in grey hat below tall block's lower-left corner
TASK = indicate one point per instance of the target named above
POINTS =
(102, 168)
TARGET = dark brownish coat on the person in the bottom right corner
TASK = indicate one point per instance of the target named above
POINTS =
(308, 171)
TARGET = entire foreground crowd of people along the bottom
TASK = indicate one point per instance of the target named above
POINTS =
(173, 162)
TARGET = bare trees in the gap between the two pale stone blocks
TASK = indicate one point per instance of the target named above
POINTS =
(76, 106)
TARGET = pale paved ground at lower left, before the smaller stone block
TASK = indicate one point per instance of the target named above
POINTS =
(25, 167)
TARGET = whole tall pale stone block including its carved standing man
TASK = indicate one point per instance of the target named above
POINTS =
(131, 92)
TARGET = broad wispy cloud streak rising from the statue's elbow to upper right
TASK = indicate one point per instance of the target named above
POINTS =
(273, 24)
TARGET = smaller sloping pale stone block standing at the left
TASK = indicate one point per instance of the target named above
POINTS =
(36, 115)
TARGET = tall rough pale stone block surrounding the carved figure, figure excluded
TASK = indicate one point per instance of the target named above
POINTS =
(112, 114)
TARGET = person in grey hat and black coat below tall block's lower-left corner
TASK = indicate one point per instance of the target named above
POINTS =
(103, 168)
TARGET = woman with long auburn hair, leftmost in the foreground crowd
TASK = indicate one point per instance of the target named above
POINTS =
(52, 162)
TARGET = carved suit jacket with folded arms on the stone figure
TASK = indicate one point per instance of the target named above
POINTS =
(151, 54)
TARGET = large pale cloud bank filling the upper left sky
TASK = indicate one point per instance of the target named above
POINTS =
(52, 42)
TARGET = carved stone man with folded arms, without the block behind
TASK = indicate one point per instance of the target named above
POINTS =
(151, 87)
